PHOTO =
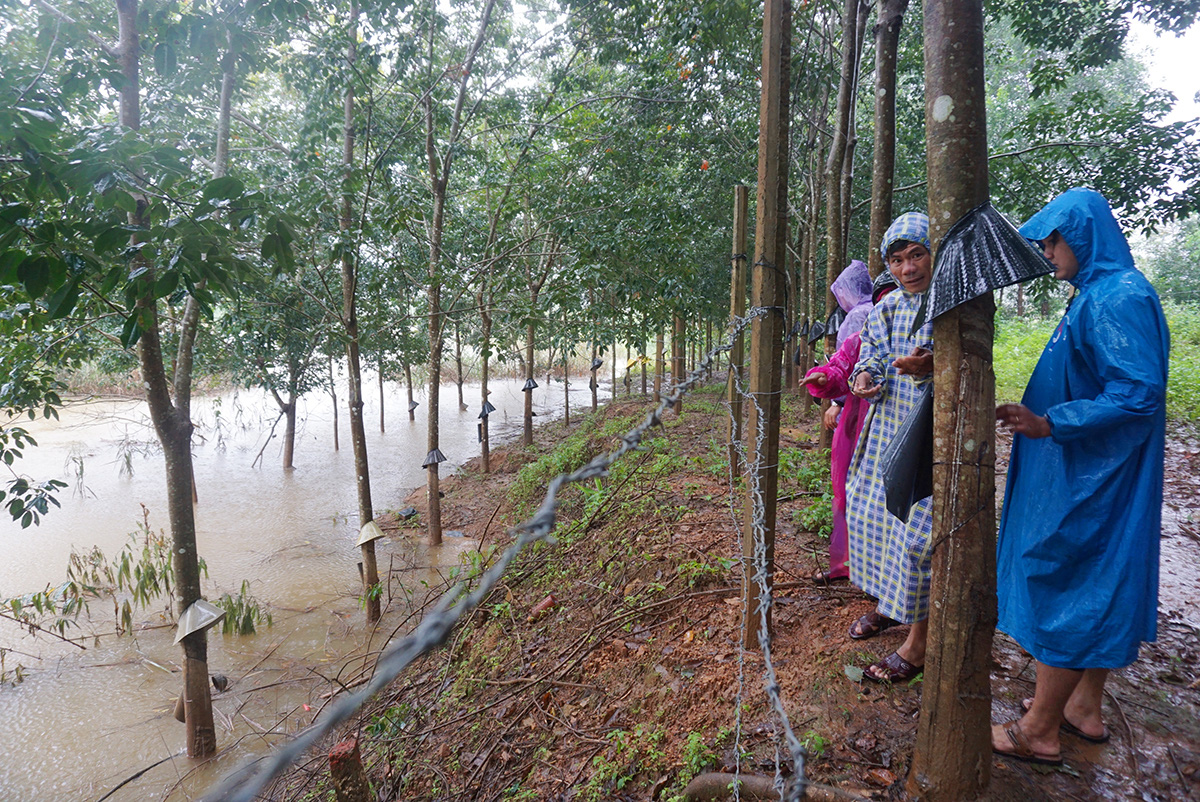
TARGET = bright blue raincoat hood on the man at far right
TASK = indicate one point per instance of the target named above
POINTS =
(1085, 220)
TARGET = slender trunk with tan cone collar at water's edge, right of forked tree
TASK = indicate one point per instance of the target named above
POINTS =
(351, 324)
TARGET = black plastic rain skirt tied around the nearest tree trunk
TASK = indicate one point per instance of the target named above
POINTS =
(981, 253)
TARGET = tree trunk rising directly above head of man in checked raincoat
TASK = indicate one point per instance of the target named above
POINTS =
(887, 39)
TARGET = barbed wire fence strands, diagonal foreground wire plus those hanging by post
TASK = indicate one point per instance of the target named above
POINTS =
(247, 783)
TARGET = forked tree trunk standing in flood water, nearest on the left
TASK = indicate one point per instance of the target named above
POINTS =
(173, 426)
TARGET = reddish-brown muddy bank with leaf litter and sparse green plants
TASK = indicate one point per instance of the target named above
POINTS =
(608, 667)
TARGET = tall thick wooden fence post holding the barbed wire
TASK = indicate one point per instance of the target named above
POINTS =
(767, 292)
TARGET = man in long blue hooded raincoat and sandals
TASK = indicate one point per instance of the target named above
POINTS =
(1078, 546)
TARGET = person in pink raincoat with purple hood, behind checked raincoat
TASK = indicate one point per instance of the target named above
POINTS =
(845, 416)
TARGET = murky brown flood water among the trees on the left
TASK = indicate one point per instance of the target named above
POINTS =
(85, 721)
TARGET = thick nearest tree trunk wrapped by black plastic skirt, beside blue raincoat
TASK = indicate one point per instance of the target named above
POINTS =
(952, 758)
